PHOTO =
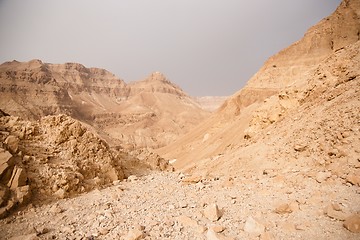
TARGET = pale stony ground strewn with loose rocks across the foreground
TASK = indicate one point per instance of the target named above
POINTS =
(173, 206)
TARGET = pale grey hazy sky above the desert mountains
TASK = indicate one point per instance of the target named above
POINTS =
(207, 47)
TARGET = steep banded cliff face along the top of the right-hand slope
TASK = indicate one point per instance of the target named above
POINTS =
(293, 64)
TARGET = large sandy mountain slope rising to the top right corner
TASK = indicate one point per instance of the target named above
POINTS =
(298, 105)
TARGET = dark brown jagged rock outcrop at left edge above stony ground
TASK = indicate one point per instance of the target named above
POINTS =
(55, 157)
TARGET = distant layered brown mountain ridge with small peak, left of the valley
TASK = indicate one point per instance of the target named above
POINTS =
(148, 113)
